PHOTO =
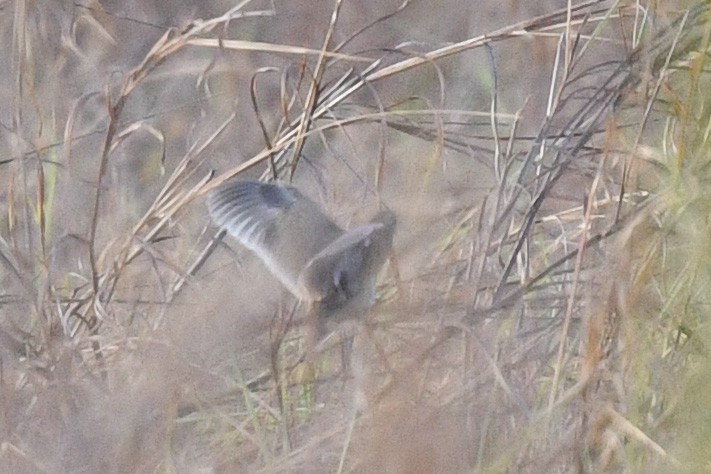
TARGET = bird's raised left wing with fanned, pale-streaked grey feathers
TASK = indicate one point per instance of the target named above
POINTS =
(281, 226)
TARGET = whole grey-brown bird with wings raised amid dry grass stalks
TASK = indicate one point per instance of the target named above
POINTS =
(314, 258)
